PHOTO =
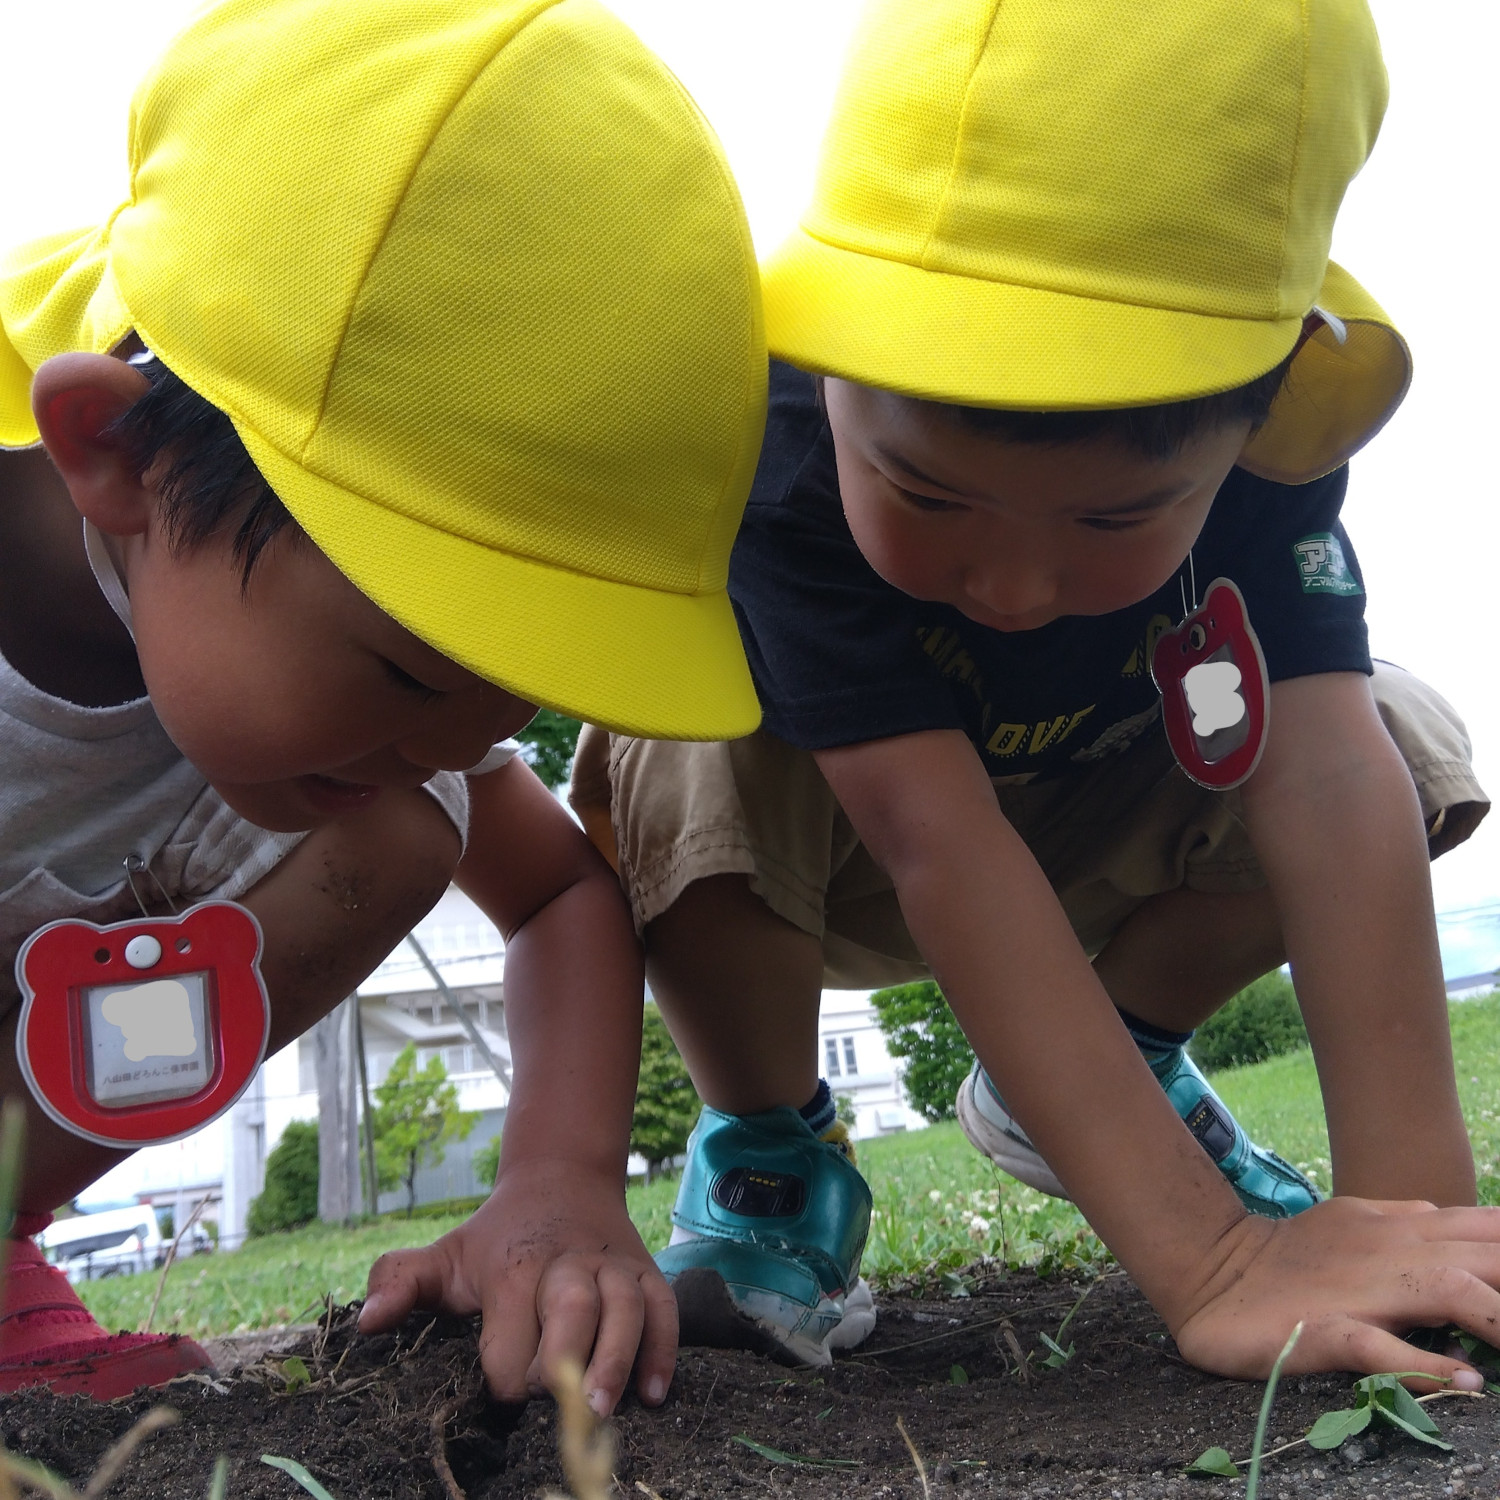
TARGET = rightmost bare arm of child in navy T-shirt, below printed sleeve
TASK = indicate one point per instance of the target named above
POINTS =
(1339, 832)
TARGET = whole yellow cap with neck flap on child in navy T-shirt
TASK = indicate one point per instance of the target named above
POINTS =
(1070, 205)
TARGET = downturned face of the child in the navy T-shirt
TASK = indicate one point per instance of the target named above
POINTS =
(1016, 535)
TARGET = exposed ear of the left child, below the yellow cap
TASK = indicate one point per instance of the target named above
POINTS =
(76, 398)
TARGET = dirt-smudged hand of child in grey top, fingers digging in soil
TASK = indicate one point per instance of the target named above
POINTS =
(559, 1271)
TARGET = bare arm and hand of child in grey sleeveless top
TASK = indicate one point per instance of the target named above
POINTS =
(551, 1259)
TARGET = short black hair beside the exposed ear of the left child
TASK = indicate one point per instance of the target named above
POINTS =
(206, 479)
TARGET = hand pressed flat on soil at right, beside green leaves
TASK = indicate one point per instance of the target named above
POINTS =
(1357, 1274)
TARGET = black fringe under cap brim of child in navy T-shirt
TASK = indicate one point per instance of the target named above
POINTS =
(1154, 433)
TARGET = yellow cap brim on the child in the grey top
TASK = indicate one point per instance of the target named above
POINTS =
(637, 661)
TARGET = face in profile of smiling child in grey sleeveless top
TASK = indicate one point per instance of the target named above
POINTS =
(298, 698)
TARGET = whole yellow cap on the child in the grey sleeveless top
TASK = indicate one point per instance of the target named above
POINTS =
(475, 284)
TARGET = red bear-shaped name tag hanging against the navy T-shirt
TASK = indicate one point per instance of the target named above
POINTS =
(1216, 697)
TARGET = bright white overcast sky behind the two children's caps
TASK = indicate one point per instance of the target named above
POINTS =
(1417, 230)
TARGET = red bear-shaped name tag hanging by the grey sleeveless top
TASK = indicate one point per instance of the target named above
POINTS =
(145, 1031)
